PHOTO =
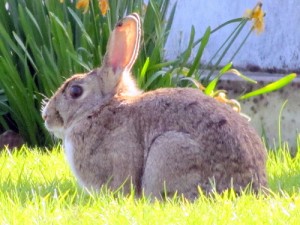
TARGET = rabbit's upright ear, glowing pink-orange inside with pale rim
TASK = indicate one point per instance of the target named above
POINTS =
(123, 45)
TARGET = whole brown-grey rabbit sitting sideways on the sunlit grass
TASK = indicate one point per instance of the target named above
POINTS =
(161, 143)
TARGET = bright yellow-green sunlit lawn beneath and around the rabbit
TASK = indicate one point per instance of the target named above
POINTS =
(38, 188)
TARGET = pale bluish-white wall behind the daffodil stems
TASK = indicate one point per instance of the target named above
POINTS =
(278, 47)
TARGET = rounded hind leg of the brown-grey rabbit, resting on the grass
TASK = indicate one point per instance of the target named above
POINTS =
(174, 165)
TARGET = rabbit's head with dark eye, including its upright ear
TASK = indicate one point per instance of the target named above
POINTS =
(83, 92)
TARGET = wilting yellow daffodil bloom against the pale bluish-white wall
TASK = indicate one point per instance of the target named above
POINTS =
(257, 16)
